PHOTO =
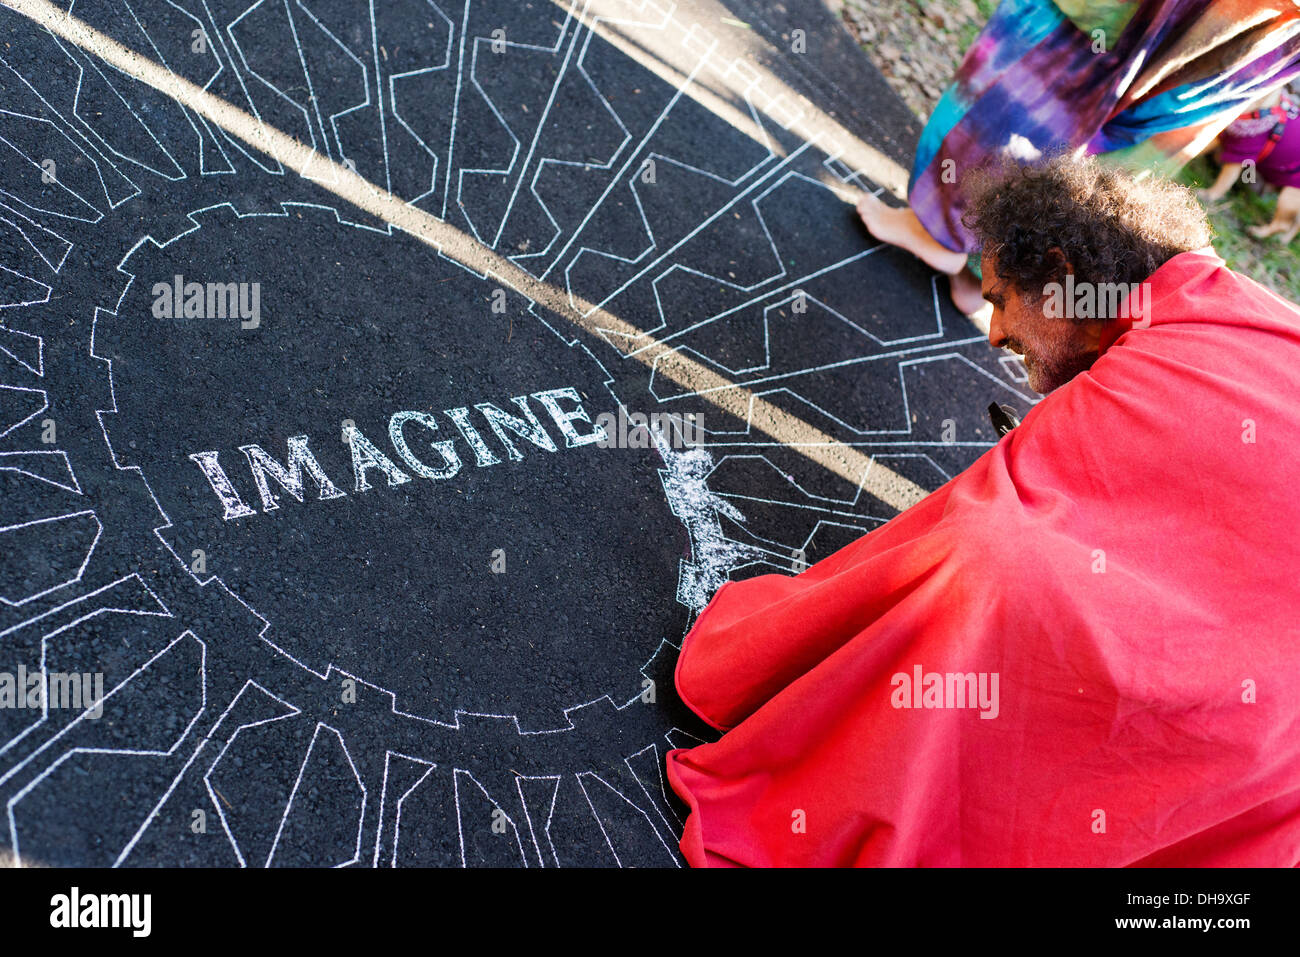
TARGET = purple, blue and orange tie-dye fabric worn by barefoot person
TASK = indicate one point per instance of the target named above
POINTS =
(1149, 81)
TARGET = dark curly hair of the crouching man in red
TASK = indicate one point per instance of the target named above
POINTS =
(1108, 226)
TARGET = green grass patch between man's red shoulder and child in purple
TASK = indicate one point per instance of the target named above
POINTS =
(1264, 261)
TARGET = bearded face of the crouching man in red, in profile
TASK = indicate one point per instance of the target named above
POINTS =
(1055, 350)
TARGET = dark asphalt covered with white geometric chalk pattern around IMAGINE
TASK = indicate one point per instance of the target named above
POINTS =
(346, 682)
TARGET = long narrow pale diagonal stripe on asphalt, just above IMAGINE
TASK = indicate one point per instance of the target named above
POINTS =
(843, 461)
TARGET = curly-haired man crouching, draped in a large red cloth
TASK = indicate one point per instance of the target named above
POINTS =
(1086, 648)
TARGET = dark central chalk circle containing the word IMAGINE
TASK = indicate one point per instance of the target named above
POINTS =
(448, 473)
